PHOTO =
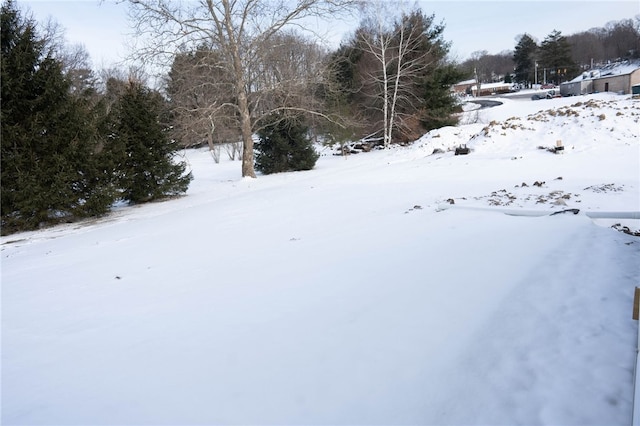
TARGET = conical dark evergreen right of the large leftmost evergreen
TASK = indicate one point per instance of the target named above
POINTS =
(143, 154)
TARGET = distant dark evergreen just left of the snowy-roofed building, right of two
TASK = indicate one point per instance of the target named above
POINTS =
(555, 56)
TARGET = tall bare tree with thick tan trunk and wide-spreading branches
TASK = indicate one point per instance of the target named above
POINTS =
(239, 30)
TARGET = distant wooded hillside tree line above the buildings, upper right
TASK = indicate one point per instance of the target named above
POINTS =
(558, 57)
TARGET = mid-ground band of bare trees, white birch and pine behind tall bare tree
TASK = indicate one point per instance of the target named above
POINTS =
(388, 82)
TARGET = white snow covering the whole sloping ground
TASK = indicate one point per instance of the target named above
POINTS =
(344, 294)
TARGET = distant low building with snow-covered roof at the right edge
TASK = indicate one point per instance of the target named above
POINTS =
(618, 77)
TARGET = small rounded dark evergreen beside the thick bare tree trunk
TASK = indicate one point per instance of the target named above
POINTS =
(284, 146)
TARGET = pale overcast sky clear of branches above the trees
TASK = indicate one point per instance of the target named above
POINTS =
(470, 26)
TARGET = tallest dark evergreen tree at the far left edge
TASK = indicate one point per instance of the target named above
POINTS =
(49, 170)
